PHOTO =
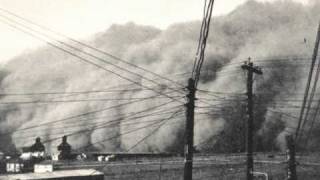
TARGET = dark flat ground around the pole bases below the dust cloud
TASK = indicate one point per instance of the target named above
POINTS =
(220, 167)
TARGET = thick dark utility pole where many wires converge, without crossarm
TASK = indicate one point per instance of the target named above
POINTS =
(188, 161)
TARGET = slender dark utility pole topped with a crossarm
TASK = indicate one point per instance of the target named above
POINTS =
(249, 145)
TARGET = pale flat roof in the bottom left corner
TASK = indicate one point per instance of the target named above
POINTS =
(79, 174)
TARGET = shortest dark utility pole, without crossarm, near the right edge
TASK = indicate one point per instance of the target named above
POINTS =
(291, 153)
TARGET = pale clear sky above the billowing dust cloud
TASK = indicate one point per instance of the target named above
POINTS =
(82, 18)
